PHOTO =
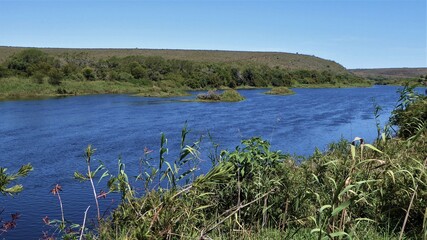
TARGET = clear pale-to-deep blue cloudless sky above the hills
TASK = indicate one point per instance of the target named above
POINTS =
(356, 34)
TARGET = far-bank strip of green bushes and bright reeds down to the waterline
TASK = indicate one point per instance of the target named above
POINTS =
(33, 73)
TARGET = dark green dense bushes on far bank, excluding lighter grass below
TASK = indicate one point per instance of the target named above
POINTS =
(195, 75)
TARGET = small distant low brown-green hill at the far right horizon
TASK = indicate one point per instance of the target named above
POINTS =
(390, 73)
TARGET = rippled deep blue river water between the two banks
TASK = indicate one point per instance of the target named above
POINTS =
(52, 134)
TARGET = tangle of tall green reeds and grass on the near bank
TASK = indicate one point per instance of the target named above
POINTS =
(252, 190)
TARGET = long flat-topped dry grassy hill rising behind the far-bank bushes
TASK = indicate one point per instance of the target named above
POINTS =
(288, 61)
